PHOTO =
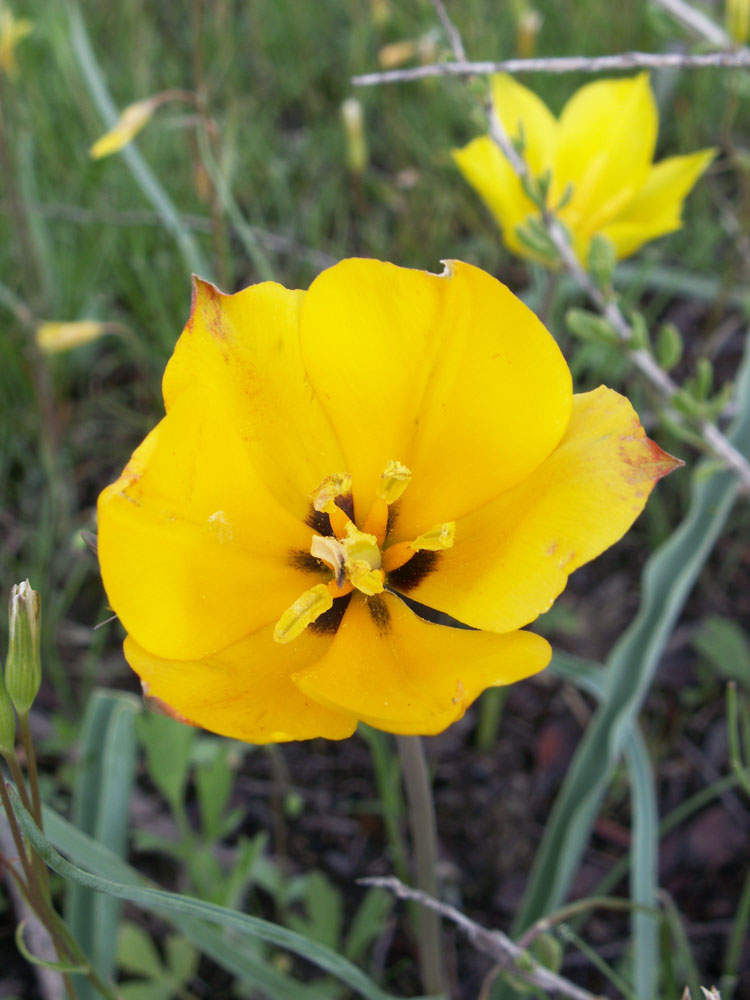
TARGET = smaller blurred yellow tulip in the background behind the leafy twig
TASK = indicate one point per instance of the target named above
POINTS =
(599, 154)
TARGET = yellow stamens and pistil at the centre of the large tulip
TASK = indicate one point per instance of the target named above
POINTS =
(359, 559)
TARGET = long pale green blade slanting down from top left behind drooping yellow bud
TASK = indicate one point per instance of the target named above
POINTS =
(142, 173)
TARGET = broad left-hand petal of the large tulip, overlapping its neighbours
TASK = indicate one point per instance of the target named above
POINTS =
(195, 552)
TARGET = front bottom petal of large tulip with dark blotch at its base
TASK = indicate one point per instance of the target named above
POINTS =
(397, 672)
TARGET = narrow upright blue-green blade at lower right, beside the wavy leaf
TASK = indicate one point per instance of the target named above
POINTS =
(644, 853)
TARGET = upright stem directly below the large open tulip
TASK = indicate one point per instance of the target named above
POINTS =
(421, 809)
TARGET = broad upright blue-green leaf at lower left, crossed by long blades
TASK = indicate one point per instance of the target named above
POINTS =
(101, 806)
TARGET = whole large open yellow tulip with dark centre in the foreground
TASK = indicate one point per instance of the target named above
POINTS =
(389, 433)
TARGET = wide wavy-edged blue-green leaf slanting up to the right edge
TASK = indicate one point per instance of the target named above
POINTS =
(667, 580)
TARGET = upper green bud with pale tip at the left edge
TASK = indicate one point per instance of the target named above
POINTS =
(23, 668)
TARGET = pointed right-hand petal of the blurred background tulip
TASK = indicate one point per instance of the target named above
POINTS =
(656, 209)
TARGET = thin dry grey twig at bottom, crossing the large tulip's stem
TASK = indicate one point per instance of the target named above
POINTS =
(495, 944)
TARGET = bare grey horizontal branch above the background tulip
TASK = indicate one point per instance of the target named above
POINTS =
(562, 64)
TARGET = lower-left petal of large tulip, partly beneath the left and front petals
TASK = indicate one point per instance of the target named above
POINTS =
(244, 692)
